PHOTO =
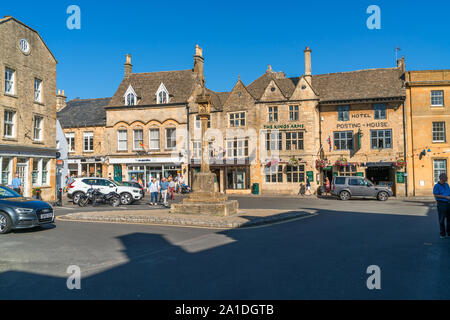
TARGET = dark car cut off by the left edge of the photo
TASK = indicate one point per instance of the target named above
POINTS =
(17, 212)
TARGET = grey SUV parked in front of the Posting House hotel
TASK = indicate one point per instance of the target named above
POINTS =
(352, 187)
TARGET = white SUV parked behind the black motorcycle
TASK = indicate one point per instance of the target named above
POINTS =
(80, 186)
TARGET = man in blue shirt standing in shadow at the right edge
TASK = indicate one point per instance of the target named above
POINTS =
(441, 193)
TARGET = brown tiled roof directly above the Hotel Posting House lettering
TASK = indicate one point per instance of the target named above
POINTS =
(359, 85)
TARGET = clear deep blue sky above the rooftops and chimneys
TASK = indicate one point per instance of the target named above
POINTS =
(237, 37)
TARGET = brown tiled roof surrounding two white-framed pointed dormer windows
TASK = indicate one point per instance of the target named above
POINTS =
(179, 84)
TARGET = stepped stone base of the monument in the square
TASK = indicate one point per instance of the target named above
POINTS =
(204, 201)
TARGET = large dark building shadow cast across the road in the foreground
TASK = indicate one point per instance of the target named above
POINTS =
(321, 258)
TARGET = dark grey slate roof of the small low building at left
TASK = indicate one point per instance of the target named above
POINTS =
(84, 113)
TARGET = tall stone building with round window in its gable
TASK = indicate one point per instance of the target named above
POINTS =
(27, 108)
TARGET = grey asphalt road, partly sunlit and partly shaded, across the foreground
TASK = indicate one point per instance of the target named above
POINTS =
(322, 257)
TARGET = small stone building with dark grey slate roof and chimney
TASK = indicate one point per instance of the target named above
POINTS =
(83, 122)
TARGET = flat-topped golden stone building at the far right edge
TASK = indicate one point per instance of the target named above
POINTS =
(428, 112)
